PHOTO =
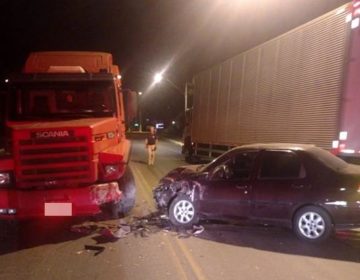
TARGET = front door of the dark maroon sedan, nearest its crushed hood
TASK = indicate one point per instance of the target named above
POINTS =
(227, 191)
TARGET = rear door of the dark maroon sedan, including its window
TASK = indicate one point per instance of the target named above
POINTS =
(280, 184)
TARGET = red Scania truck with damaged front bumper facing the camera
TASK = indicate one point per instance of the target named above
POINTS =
(66, 153)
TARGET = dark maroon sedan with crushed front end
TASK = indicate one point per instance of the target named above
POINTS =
(299, 186)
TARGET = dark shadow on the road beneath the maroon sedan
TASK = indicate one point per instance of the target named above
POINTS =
(344, 246)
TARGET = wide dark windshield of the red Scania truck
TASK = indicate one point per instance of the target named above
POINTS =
(68, 100)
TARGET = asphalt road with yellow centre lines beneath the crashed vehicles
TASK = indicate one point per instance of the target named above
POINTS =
(84, 249)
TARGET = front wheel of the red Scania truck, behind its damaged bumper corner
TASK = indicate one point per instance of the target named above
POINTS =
(128, 188)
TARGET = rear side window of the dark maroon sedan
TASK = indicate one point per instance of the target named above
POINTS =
(280, 165)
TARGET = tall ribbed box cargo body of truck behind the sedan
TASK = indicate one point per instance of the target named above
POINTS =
(300, 87)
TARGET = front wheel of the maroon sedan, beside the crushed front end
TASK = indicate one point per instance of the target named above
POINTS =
(183, 212)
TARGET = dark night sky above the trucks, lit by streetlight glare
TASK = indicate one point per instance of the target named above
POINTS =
(144, 36)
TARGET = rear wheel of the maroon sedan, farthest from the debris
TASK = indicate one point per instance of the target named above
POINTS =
(312, 224)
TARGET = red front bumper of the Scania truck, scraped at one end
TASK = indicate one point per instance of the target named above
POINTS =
(24, 204)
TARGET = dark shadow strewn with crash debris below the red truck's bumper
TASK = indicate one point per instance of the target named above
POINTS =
(32, 233)
